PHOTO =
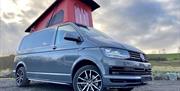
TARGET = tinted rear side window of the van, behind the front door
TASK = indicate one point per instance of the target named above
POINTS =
(38, 39)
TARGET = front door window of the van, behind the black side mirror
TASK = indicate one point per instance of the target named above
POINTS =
(60, 41)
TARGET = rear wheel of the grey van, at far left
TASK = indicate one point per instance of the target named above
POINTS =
(21, 77)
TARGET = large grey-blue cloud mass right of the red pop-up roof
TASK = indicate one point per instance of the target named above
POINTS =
(148, 25)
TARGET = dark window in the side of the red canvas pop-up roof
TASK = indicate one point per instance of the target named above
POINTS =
(57, 18)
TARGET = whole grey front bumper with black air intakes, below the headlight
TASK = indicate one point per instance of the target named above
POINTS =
(125, 73)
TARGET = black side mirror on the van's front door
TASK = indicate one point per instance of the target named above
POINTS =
(72, 37)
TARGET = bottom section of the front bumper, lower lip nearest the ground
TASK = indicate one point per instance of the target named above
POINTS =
(125, 81)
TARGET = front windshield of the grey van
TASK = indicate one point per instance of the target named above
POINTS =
(91, 32)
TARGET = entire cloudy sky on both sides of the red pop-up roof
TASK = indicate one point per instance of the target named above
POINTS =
(150, 25)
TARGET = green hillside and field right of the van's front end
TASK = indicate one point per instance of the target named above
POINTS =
(165, 62)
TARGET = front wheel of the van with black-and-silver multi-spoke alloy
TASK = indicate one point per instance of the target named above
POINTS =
(88, 78)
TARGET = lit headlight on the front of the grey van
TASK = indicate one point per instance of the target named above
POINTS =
(116, 53)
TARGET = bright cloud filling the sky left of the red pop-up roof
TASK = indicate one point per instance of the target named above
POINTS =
(14, 22)
